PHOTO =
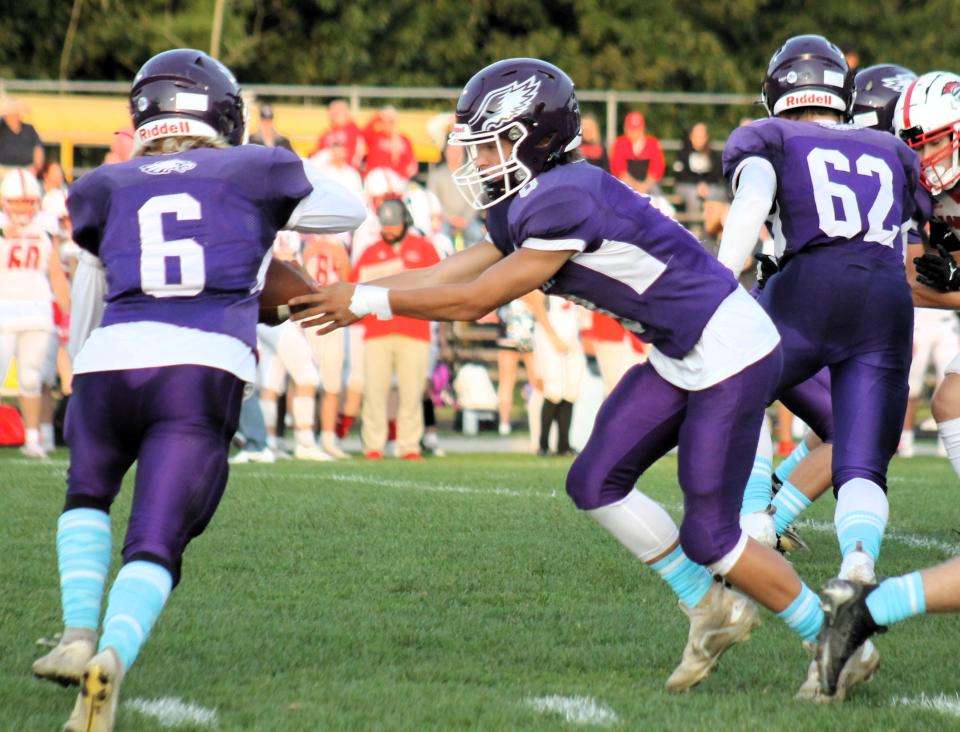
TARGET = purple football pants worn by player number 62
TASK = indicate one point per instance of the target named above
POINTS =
(840, 307)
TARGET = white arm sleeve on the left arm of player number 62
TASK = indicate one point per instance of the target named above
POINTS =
(755, 185)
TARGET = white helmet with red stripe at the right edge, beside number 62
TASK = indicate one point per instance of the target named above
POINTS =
(929, 112)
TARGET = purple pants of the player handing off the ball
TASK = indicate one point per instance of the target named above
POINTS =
(716, 430)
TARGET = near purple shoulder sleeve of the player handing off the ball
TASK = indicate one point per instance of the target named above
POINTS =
(555, 213)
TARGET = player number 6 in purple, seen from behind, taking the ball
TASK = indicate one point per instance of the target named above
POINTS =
(179, 238)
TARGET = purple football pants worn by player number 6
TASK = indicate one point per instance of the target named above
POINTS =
(176, 422)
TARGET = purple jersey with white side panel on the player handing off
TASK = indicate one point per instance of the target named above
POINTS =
(633, 262)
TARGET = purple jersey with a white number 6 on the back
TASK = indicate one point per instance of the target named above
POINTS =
(183, 236)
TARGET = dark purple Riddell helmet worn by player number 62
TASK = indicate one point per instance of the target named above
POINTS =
(807, 71)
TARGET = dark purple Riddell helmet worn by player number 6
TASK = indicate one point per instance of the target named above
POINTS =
(186, 93)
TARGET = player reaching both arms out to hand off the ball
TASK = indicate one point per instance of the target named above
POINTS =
(571, 229)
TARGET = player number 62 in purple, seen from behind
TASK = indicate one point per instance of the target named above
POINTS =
(841, 199)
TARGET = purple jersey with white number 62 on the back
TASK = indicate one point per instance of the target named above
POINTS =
(836, 184)
